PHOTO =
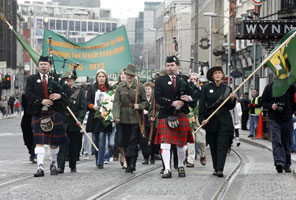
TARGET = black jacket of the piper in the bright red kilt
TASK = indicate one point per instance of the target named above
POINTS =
(165, 94)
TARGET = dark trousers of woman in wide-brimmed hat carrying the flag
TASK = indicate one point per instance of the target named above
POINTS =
(219, 143)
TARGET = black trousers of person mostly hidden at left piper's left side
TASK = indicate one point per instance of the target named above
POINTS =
(27, 133)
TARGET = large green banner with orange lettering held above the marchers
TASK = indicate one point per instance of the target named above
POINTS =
(110, 52)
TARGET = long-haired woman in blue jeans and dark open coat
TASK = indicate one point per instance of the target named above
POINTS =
(101, 130)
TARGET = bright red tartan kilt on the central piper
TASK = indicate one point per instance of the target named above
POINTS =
(179, 136)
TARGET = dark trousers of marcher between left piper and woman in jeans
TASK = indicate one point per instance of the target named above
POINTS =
(72, 148)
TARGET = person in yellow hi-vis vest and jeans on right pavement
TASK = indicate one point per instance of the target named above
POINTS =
(254, 110)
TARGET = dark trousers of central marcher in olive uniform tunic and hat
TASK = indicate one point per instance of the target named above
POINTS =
(130, 140)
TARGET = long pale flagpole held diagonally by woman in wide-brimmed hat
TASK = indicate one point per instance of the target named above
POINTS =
(253, 73)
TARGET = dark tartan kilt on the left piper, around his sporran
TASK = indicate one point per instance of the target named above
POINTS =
(57, 136)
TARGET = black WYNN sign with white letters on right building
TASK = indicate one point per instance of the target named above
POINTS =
(263, 29)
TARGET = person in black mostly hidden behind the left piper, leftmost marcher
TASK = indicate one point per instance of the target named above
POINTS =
(27, 131)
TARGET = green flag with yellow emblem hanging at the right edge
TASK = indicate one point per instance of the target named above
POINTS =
(283, 64)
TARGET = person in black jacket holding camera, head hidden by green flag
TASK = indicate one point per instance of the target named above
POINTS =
(280, 112)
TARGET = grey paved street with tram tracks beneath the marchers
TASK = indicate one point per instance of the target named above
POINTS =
(257, 178)
